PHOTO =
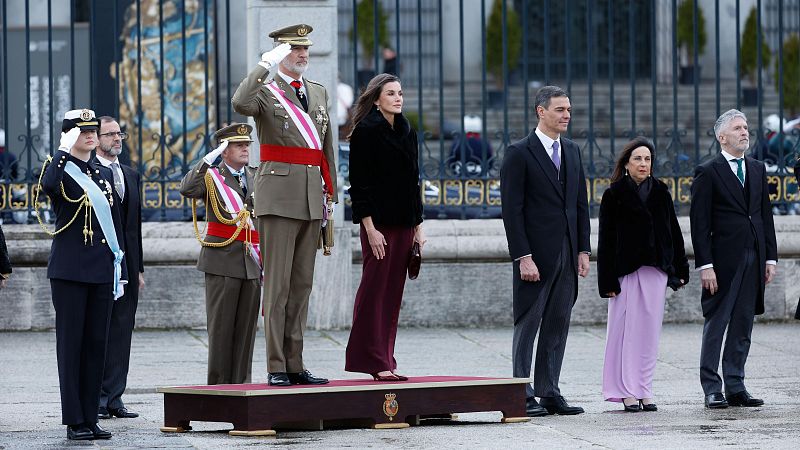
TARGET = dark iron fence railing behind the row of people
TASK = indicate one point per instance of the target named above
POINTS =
(167, 70)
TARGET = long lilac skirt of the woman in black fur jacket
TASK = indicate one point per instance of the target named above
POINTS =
(634, 326)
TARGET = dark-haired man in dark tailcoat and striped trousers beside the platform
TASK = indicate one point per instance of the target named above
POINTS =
(546, 217)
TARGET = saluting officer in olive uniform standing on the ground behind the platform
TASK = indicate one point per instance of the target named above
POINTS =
(229, 255)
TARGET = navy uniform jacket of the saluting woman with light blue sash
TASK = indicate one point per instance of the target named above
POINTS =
(71, 259)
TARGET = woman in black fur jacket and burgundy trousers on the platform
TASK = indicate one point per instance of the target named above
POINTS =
(387, 202)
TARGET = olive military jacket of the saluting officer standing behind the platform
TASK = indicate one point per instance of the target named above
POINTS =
(231, 260)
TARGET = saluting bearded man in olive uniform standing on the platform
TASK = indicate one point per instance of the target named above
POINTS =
(296, 178)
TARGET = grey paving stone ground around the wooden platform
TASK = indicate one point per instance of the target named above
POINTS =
(30, 416)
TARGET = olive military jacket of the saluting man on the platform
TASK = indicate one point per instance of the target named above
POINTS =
(283, 189)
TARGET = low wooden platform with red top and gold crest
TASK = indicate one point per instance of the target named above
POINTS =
(259, 409)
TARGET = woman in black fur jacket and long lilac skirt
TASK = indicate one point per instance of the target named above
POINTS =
(640, 252)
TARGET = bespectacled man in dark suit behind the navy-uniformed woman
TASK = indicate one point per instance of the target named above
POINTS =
(127, 188)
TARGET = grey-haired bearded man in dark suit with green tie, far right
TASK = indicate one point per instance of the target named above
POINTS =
(736, 253)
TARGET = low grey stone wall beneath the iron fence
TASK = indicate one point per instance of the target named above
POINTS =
(465, 280)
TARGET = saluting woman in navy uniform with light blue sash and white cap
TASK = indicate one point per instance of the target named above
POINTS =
(86, 269)
